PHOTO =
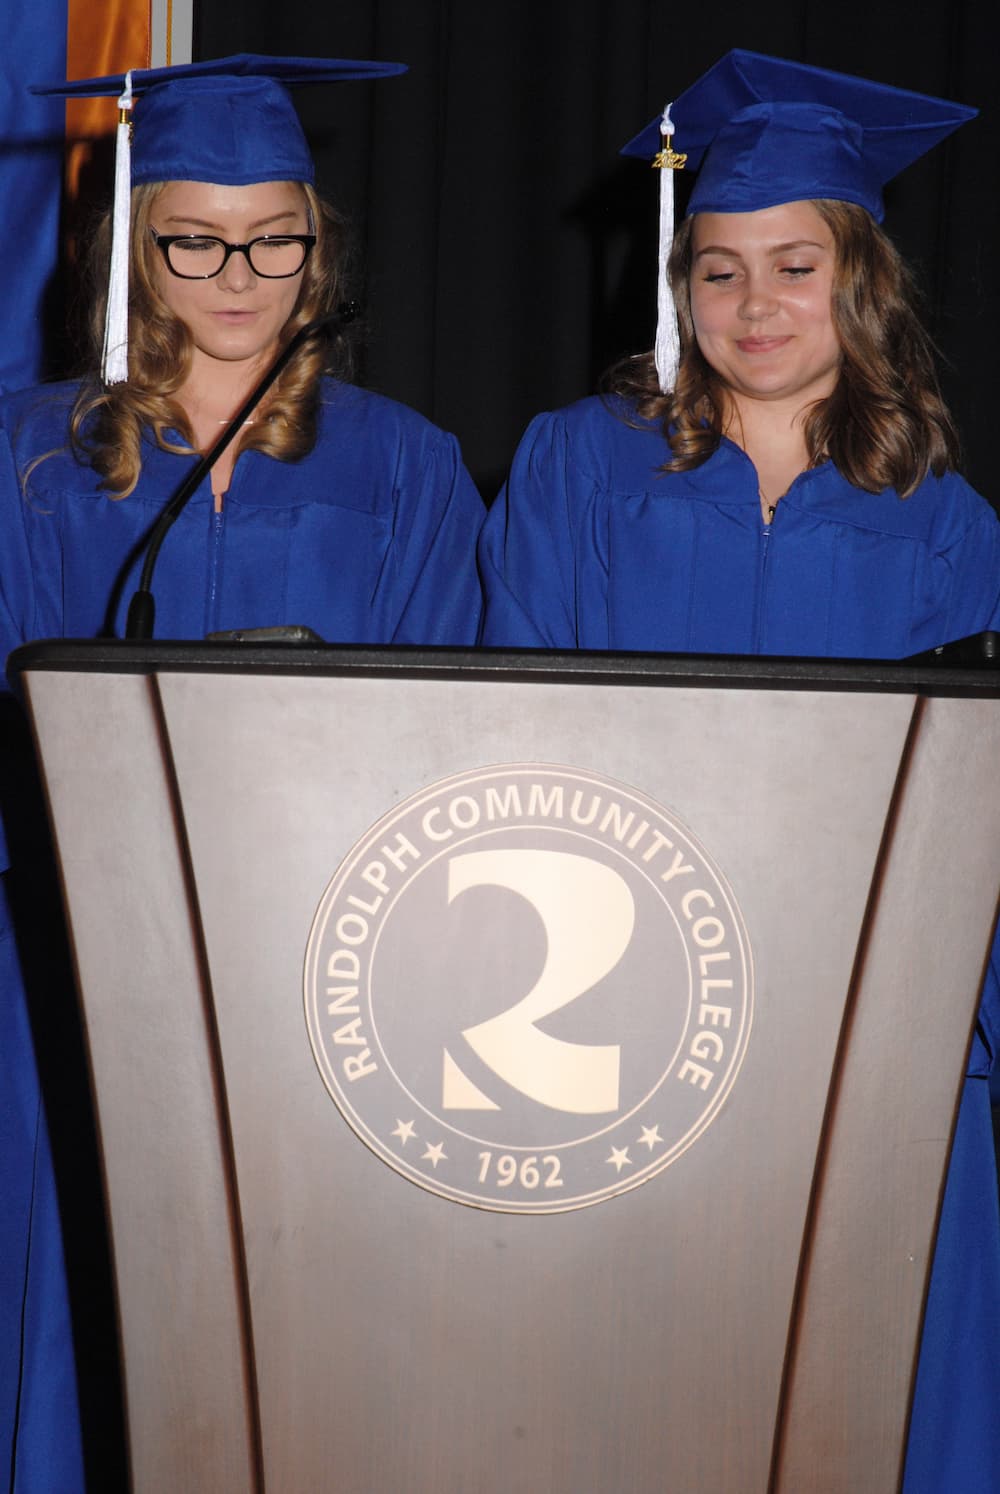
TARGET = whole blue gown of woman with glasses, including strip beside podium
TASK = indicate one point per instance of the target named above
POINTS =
(370, 539)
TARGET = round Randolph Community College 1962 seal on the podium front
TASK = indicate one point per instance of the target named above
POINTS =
(528, 988)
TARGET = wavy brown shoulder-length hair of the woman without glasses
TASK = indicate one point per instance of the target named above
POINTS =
(886, 425)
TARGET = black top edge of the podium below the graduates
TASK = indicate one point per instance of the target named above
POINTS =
(963, 669)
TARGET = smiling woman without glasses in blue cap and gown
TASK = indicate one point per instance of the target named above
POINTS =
(790, 485)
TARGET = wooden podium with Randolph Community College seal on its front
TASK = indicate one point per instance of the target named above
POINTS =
(519, 1073)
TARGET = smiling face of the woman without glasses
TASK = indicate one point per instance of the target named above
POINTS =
(762, 303)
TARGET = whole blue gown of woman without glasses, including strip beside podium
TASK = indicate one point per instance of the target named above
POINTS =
(591, 546)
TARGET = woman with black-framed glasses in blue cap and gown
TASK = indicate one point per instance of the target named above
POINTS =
(333, 509)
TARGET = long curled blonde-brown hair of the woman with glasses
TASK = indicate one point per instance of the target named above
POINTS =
(108, 422)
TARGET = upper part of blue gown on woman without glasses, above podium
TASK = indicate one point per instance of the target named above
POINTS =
(591, 548)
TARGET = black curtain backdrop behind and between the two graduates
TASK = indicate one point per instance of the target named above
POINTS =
(507, 253)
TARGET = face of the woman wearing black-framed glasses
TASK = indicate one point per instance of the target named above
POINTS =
(235, 317)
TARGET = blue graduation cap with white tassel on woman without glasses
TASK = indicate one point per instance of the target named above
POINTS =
(763, 132)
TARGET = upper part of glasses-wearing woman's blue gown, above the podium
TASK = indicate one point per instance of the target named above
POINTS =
(367, 540)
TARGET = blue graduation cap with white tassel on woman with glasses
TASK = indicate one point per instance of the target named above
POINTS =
(228, 120)
